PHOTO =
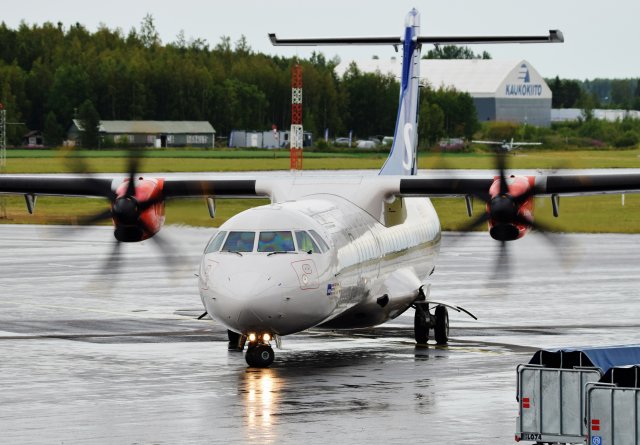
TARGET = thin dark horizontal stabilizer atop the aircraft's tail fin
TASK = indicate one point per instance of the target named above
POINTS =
(554, 36)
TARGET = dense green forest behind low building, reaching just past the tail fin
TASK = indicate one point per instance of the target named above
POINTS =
(51, 74)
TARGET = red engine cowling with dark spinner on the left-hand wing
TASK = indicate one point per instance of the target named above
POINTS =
(140, 215)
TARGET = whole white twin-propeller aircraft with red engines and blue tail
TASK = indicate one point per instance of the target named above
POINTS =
(336, 253)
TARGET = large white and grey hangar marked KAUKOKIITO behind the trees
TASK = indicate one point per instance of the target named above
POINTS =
(502, 90)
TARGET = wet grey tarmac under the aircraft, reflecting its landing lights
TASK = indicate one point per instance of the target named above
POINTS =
(90, 358)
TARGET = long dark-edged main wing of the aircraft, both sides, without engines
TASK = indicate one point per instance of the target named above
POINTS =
(226, 187)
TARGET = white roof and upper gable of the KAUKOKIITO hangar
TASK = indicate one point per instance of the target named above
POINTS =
(478, 77)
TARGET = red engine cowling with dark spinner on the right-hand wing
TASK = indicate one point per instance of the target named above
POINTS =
(509, 212)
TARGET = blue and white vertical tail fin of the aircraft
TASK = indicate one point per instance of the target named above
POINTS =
(402, 159)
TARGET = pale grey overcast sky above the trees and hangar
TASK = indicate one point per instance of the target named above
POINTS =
(601, 37)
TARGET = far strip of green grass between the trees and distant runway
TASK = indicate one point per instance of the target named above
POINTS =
(173, 160)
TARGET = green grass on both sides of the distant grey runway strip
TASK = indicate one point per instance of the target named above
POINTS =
(603, 214)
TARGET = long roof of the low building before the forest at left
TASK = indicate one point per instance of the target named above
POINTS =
(152, 127)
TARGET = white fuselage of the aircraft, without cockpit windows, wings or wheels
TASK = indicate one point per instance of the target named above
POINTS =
(369, 273)
